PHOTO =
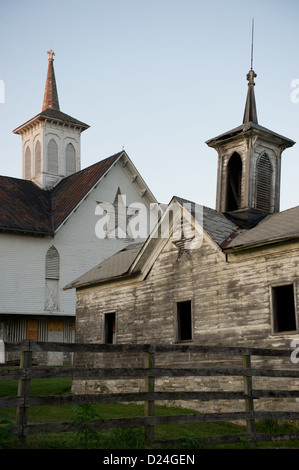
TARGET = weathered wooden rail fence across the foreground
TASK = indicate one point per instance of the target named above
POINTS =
(149, 372)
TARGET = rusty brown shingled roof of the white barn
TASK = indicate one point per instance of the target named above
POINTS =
(24, 207)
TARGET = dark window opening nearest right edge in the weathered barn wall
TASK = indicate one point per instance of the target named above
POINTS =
(284, 308)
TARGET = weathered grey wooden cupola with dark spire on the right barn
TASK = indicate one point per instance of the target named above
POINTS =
(249, 166)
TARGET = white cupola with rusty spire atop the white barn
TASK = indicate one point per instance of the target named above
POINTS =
(51, 141)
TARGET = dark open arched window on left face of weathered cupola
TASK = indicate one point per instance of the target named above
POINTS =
(234, 183)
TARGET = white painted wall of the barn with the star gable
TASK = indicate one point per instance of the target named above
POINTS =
(22, 270)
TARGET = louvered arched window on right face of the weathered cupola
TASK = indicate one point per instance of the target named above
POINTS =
(264, 183)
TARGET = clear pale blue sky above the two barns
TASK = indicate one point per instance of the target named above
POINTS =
(157, 77)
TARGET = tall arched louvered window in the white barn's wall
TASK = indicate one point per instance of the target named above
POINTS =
(52, 279)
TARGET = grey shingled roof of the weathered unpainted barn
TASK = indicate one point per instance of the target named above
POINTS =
(223, 231)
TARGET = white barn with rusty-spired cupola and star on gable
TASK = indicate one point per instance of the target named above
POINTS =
(48, 222)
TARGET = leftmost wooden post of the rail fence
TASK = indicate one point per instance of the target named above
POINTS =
(24, 388)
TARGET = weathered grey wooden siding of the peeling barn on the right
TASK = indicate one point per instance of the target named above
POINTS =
(231, 306)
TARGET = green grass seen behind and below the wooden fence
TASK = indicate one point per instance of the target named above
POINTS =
(123, 438)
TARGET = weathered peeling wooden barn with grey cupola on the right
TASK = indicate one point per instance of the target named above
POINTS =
(229, 277)
